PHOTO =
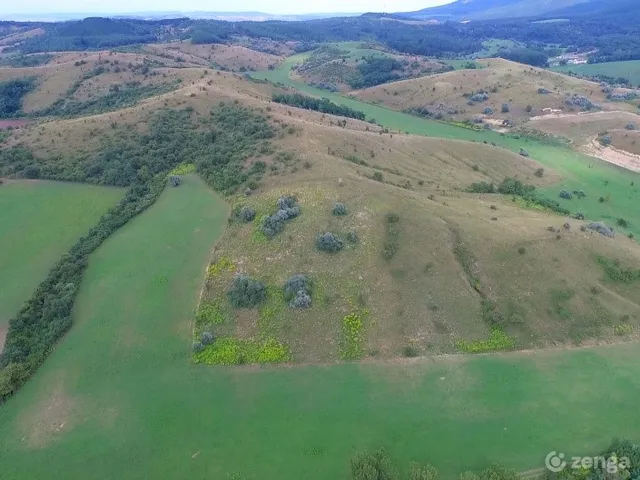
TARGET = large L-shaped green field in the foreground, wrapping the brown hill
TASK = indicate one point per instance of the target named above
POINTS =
(120, 394)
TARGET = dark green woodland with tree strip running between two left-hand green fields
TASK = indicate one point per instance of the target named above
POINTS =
(140, 162)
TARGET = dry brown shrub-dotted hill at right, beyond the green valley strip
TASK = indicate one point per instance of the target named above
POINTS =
(478, 95)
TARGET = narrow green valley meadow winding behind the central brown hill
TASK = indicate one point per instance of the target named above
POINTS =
(572, 166)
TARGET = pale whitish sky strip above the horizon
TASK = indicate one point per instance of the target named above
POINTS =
(268, 6)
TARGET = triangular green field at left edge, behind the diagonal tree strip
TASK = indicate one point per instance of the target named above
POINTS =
(39, 221)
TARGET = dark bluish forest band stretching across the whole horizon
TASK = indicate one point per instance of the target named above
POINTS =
(612, 30)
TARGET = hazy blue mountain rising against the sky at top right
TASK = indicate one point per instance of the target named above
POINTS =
(462, 10)
